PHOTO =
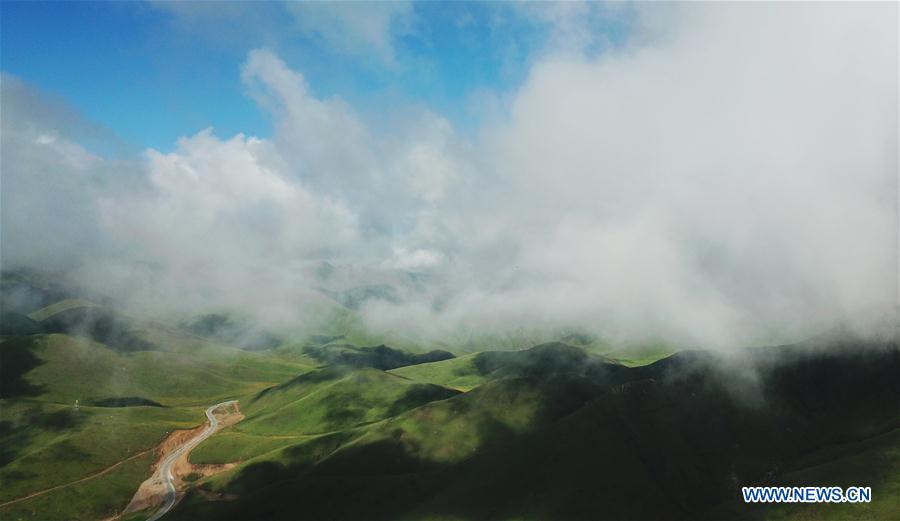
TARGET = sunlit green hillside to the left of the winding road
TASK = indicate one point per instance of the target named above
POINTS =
(128, 402)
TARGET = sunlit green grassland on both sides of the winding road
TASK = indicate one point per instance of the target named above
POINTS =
(49, 443)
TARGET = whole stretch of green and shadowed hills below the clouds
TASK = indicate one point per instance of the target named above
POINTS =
(431, 435)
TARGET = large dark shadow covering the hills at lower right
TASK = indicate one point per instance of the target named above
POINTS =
(674, 441)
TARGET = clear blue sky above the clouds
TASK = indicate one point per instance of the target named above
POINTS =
(152, 73)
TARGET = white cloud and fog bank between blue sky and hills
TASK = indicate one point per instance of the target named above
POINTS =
(726, 177)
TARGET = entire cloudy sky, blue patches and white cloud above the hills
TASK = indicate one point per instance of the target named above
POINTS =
(714, 174)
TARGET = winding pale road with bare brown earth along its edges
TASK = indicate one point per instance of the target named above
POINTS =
(163, 486)
